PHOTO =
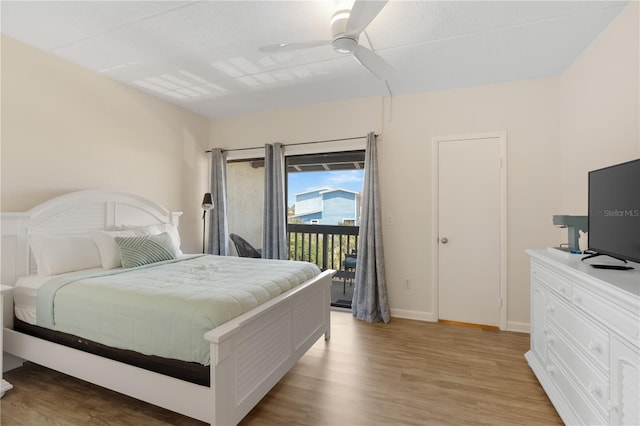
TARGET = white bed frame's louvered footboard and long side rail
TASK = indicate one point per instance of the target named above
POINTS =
(249, 355)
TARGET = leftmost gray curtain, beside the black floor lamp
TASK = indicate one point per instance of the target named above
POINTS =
(218, 228)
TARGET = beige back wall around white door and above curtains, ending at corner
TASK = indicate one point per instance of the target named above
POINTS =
(524, 109)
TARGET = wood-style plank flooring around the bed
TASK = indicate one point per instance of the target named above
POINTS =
(402, 373)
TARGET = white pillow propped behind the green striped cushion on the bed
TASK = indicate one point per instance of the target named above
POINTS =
(109, 251)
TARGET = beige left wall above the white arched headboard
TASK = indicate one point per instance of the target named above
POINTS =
(65, 128)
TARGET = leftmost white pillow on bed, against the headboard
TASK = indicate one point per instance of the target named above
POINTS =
(57, 254)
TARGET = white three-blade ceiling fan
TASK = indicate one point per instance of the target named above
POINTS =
(346, 26)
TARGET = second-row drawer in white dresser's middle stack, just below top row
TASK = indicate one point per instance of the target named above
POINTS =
(585, 333)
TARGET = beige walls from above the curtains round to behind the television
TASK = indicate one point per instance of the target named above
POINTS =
(544, 120)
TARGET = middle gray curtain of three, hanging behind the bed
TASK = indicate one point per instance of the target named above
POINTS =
(274, 224)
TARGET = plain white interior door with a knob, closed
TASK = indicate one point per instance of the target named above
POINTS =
(470, 229)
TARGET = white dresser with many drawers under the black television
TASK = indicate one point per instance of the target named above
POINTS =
(585, 338)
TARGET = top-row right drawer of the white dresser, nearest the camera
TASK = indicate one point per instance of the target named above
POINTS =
(615, 317)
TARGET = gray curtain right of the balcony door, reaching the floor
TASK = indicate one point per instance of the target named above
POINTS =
(370, 301)
